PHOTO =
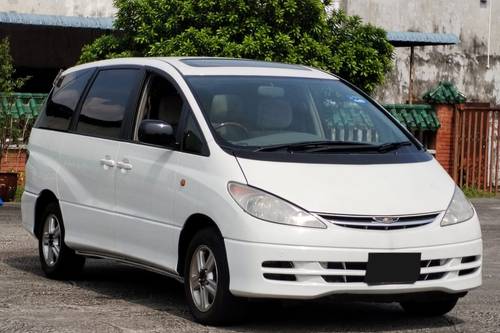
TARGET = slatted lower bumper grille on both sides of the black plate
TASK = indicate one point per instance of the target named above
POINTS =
(355, 271)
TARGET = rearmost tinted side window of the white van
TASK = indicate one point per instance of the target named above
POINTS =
(62, 101)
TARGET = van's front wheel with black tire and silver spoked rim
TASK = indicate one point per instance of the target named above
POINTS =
(218, 306)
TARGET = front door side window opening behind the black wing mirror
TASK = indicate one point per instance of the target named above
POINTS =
(160, 101)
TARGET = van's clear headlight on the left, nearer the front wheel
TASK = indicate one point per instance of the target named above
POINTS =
(270, 208)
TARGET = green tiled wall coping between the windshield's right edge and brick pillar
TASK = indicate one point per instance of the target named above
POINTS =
(415, 116)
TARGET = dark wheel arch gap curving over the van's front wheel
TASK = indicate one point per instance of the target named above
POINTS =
(193, 224)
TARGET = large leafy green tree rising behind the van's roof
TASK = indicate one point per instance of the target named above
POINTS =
(292, 31)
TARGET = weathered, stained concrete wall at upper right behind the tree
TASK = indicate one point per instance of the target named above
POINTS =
(463, 64)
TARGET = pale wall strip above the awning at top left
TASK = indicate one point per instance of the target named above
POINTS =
(97, 8)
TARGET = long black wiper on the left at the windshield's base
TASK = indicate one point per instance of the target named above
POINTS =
(313, 146)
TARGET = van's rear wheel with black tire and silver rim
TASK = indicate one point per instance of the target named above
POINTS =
(57, 260)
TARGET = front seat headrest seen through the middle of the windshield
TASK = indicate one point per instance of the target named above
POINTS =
(274, 114)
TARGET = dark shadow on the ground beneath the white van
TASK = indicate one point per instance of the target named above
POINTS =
(116, 281)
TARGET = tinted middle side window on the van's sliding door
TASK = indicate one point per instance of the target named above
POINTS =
(104, 107)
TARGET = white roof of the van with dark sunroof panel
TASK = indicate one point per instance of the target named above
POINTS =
(193, 66)
